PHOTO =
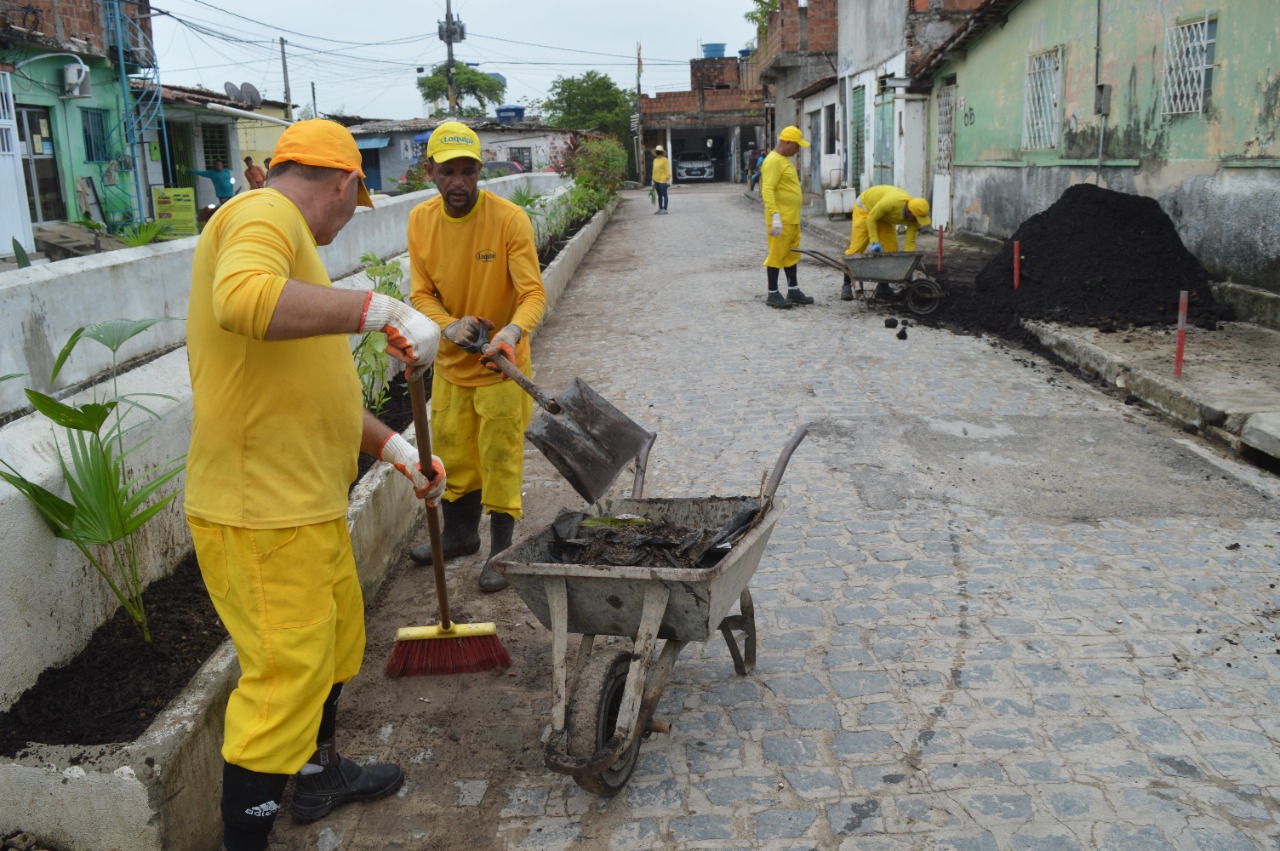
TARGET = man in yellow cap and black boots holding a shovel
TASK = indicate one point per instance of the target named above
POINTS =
(474, 269)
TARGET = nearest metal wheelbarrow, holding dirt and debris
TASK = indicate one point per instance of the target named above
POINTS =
(605, 706)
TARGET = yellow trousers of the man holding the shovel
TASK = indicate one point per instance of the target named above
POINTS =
(479, 434)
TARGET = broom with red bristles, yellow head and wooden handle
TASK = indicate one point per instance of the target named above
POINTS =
(447, 647)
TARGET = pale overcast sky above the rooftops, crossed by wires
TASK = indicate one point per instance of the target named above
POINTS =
(363, 57)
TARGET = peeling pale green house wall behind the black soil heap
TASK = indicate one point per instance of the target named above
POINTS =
(1215, 173)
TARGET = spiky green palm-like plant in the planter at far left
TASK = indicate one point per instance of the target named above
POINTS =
(108, 506)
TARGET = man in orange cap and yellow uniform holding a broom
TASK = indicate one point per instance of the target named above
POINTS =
(277, 431)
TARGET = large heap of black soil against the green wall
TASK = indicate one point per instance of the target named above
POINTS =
(1096, 258)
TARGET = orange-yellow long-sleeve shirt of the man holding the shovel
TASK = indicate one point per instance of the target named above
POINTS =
(484, 264)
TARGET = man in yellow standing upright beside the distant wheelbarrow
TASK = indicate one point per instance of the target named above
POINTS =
(780, 191)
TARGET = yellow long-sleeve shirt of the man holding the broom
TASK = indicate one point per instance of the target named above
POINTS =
(277, 424)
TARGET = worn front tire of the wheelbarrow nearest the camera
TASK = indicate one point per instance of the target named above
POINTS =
(593, 715)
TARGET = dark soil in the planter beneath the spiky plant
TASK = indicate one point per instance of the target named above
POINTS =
(117, 687)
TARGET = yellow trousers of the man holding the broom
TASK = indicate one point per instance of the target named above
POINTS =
(291, 601)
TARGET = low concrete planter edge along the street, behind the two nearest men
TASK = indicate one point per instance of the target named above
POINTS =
(162, 790)
